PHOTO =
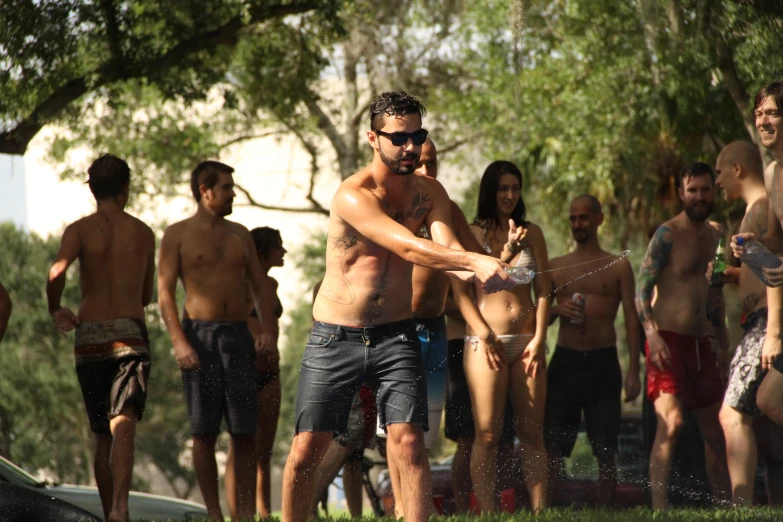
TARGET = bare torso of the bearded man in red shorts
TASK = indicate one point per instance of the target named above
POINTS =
(681, 299)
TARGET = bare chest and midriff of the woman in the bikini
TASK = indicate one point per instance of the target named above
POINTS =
(509, 311)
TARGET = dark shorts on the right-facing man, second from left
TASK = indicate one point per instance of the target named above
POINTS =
(225, 383)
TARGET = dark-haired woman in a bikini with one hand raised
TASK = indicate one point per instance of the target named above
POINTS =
(505, 350)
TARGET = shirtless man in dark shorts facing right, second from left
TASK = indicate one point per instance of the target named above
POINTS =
(215, 258)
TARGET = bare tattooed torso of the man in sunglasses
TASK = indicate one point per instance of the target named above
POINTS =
(366, 284)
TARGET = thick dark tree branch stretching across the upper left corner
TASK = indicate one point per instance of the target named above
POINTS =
(16, 140)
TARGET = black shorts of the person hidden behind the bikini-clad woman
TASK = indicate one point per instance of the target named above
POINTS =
(460, 423)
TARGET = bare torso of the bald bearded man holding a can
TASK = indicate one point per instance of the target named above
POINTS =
(602, 293)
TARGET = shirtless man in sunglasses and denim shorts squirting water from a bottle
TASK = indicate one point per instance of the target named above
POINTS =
(363, 329)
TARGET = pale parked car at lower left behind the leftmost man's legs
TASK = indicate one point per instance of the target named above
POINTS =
(142, 505)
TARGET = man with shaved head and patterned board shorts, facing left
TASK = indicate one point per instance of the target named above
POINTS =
(739, 173)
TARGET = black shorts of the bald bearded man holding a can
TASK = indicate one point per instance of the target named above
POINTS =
(589, 381)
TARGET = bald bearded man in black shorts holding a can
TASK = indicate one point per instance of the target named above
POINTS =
(584, 372)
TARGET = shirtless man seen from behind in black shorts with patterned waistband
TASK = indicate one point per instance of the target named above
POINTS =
(116, 254)
